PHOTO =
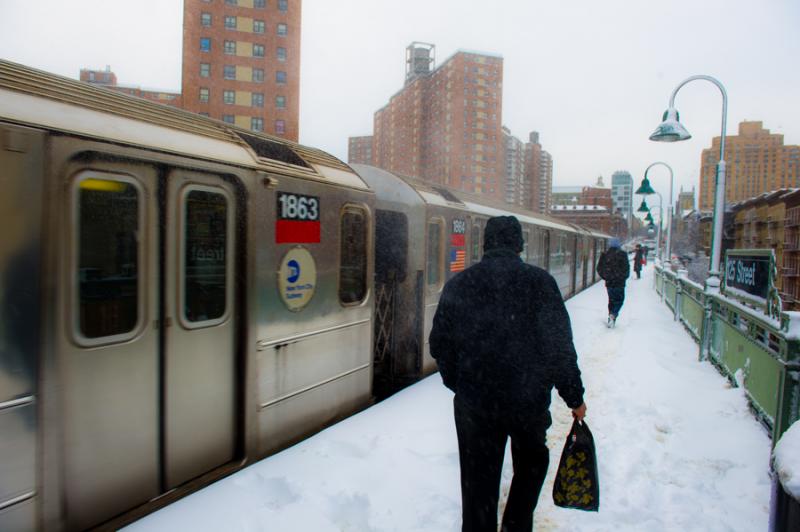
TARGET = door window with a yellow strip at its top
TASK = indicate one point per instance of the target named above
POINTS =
(109, 227)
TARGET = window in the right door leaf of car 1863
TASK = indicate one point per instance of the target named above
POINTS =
(205, 251)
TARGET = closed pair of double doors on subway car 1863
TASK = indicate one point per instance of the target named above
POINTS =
(147, 335)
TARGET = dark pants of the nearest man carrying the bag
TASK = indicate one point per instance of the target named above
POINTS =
(481, 444)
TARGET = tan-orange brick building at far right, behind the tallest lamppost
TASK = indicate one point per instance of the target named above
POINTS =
(756, 160)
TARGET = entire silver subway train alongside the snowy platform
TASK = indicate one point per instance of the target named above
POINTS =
(180, 297)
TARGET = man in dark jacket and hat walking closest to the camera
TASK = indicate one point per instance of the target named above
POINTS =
(502, 339)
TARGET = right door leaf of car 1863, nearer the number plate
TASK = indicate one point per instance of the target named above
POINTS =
(200, 326)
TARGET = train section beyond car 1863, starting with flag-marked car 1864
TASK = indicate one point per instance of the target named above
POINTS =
(424, 236)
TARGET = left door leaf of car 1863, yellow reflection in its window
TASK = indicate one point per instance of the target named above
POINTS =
(109, 356)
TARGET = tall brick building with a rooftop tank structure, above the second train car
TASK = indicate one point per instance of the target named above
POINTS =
(444, 125)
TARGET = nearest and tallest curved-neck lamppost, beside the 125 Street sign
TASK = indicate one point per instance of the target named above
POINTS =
(671, 130)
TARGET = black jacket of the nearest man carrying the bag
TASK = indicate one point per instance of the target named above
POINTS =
(502, 338)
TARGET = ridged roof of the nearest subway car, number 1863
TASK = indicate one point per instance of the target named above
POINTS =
(33, 97)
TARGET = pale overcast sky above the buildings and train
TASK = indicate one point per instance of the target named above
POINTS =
(592, 77)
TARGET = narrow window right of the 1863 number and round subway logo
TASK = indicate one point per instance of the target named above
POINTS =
(353, 256)
